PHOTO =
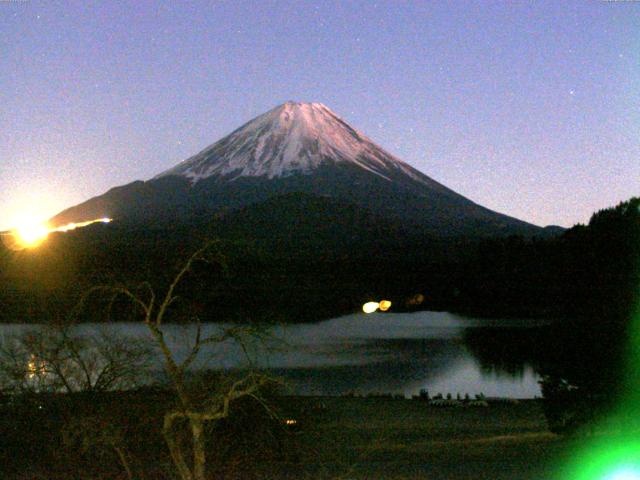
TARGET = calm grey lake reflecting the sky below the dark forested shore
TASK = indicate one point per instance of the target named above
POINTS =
(400, 353)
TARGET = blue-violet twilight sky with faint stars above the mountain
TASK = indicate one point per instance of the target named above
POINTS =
(528, 108)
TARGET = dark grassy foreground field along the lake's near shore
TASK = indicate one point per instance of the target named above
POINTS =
(333, 438)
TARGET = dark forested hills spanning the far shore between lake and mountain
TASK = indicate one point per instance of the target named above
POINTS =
(312, 269)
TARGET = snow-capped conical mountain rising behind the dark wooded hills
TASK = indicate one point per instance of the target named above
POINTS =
(304, 150)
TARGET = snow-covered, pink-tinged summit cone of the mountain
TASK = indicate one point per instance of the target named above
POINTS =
(289, 139)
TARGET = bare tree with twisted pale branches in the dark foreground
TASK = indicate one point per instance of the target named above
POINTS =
(192, 409)
